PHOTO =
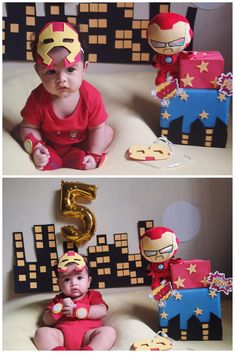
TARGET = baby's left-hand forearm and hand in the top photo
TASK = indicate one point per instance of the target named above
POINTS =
(38, 150)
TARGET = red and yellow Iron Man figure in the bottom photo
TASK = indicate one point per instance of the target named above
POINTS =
(158, 245)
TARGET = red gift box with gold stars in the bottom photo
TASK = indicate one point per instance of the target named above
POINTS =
(190, 274)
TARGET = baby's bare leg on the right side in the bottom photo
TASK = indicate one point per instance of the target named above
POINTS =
(100, 339)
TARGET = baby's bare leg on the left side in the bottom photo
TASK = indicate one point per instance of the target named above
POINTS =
(47, 338)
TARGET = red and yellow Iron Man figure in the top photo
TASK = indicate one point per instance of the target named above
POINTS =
(168, 35)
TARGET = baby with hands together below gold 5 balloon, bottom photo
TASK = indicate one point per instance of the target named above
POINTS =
(74, 317)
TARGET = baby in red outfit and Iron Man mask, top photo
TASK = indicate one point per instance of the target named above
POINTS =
(64, 119)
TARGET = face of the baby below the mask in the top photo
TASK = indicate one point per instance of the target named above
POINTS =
(61, 81)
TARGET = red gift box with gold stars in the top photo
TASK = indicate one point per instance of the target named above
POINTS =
(200, 69)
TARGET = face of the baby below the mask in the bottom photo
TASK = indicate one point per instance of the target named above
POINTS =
(73, 283)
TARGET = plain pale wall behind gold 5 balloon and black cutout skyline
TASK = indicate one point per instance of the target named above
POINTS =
(119, 205)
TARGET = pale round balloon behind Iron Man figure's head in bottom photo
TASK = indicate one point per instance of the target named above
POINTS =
(183, 218)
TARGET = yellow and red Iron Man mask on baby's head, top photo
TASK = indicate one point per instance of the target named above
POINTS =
(59, 34)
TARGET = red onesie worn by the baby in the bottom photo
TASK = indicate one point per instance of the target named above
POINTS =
(74, 329)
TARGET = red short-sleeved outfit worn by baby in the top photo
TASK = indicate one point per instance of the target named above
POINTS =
(64, 136)
